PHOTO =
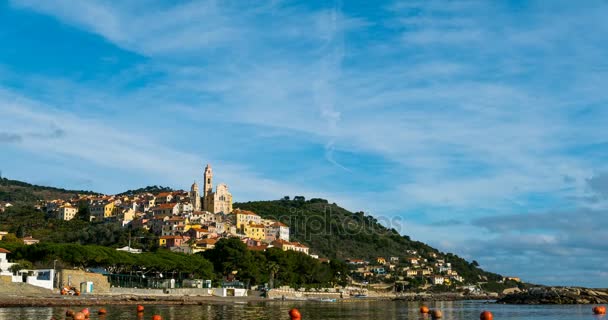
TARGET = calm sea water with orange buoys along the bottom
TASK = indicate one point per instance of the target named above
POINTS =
(458, 310)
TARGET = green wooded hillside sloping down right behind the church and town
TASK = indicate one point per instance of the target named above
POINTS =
(334, 232)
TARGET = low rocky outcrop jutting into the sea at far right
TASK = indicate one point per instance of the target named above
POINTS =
(557, 295)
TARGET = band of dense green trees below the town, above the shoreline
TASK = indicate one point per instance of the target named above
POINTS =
(274, 266)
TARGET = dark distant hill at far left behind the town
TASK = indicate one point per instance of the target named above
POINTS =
(25, 193)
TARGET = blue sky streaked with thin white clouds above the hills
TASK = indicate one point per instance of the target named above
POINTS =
(475, 126)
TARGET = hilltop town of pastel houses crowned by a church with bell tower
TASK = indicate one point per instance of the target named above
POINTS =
(184, 221)
